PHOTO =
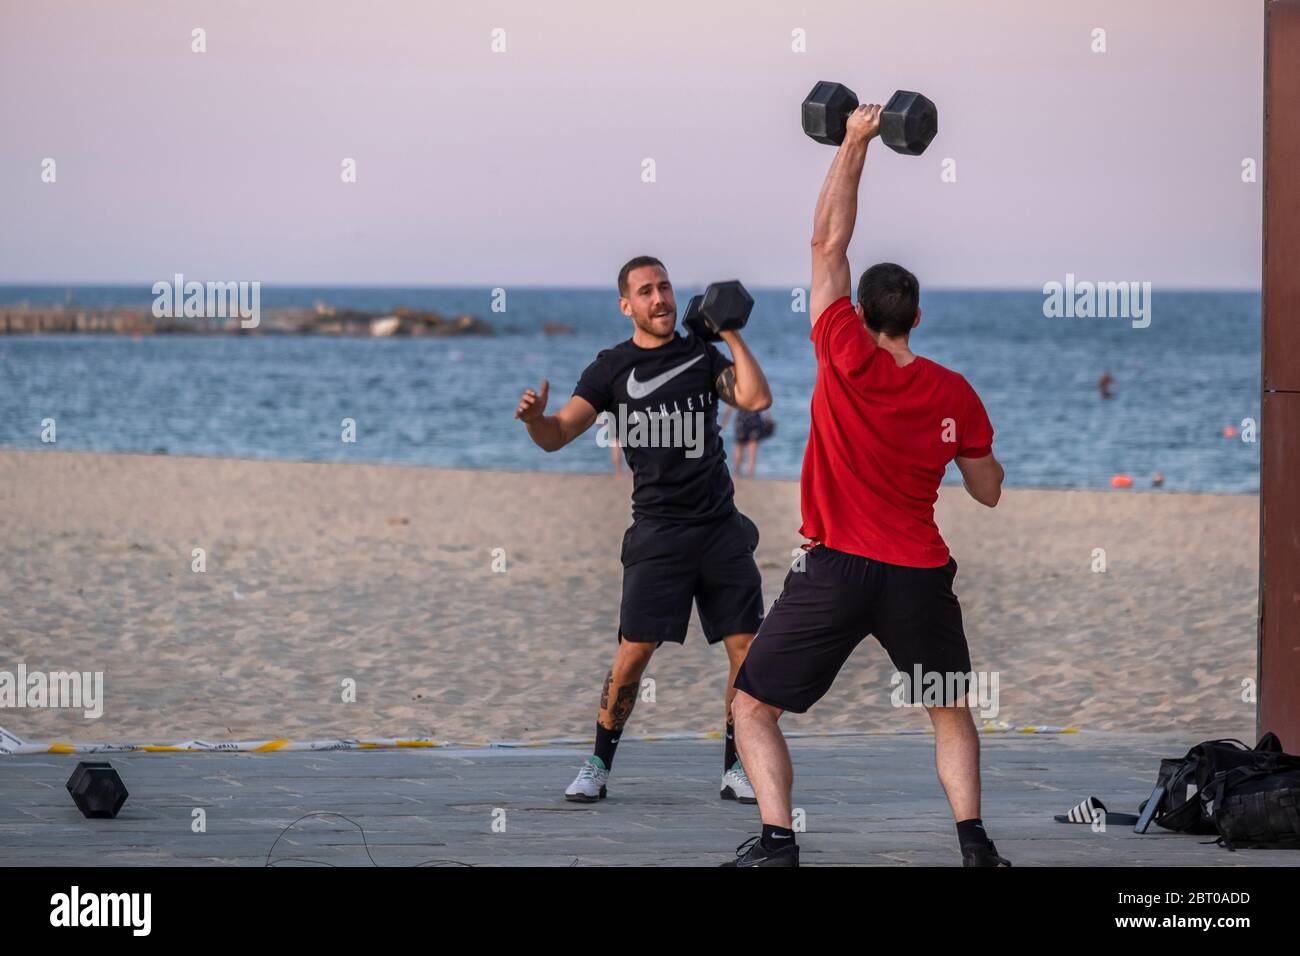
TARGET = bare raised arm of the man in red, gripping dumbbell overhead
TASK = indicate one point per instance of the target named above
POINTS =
(838, 211)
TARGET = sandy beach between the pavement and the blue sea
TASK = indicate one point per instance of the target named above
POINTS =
(389, 577)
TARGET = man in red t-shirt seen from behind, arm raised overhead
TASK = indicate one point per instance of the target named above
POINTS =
(886, 425)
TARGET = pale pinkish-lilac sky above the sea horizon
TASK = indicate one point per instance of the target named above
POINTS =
(526, 167)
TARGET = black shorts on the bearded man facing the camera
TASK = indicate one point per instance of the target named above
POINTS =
(668, 565)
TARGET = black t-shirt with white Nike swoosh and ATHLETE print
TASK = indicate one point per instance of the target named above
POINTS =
(662, 408)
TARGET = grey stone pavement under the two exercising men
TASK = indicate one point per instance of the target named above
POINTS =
(868, 801)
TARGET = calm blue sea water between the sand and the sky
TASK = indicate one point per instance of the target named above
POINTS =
(450, 403)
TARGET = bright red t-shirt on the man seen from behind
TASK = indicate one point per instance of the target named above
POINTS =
(881, 442)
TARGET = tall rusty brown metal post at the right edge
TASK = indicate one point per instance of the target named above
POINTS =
(1280, 434)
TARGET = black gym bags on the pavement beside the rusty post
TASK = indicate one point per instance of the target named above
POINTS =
(1250, 798)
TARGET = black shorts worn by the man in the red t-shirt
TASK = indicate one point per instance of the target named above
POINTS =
(833, 604)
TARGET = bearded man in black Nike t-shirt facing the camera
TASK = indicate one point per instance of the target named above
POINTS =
(688, 542)
